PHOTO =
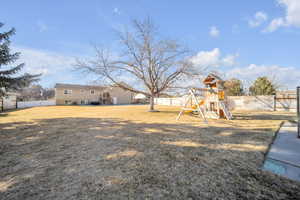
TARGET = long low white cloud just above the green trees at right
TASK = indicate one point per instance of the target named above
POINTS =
(288, 77)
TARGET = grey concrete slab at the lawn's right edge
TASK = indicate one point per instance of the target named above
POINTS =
(283, 157)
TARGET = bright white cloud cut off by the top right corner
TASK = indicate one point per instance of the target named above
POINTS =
(291, 18)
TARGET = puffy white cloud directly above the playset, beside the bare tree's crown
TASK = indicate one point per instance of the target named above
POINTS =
(213, 59)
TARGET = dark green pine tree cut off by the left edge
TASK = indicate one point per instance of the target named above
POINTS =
(9, 75)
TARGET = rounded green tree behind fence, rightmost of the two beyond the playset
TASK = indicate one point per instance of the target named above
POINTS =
(262, 86)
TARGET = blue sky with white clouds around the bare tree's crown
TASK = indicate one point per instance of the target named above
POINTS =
(239, 39)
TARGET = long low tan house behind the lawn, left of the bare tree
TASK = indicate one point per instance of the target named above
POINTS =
(87, 94)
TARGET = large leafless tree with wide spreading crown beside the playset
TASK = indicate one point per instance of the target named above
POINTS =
(152, 63)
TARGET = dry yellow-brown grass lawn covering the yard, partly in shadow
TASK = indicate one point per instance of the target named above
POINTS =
(124, 152)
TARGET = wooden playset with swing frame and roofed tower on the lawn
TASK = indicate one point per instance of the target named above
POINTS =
(207, 102)
